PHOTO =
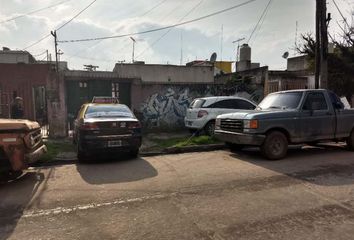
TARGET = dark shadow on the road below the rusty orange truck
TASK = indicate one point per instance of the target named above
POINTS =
(14, 198)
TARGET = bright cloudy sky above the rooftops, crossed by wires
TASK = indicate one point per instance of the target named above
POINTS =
(276, 32)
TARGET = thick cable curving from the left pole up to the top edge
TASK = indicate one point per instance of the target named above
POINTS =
(161, 28)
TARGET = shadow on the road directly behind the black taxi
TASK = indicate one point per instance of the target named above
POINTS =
(111, 170)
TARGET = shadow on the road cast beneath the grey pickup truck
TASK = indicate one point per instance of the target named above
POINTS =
(326, 165)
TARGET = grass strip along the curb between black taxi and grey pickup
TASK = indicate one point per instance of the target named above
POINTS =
(183, 142)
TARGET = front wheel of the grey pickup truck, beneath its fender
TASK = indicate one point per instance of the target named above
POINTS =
(275, 146)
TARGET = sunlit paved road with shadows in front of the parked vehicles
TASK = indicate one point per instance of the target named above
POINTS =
(211, 195)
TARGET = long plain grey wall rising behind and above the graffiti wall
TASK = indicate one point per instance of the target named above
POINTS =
(150, 73)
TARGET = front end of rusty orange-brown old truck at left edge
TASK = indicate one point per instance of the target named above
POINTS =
(20, 145)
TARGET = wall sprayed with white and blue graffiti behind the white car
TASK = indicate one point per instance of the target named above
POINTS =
(166, 107)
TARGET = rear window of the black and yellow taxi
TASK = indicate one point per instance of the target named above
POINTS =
(98, 111)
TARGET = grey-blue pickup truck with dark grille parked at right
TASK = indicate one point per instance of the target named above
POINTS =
(288, 117)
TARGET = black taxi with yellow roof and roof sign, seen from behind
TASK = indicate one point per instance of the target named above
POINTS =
(105, 126)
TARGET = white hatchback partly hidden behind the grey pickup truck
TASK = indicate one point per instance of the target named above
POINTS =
(202, 112)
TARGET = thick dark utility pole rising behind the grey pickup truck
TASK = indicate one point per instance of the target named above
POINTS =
(321, 52)
